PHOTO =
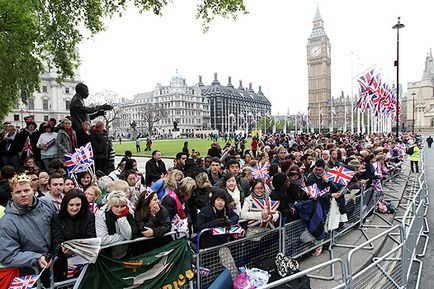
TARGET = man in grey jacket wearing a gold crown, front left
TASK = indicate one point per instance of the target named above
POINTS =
(25, 229)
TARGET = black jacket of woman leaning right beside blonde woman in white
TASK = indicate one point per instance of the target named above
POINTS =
(160, 224)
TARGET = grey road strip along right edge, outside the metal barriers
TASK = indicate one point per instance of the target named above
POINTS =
(427, 278)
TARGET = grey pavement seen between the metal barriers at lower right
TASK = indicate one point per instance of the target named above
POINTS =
(354, 237)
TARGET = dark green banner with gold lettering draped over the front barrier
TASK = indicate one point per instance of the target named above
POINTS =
(167, 267)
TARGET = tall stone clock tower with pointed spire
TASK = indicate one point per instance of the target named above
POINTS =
(319, 77)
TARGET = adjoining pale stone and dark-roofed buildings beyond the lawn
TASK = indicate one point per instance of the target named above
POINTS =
(196, 108)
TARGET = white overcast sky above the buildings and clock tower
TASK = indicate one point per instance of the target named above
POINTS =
(266, 47)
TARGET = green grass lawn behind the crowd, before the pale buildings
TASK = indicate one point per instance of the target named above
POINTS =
(168, 147)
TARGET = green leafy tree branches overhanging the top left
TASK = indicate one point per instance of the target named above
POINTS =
(36, 35)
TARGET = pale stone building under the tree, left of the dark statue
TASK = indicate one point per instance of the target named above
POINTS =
(52, 102)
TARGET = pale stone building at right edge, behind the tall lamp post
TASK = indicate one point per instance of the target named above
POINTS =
(419, 101)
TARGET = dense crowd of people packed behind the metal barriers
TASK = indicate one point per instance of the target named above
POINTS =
(42, 206)
